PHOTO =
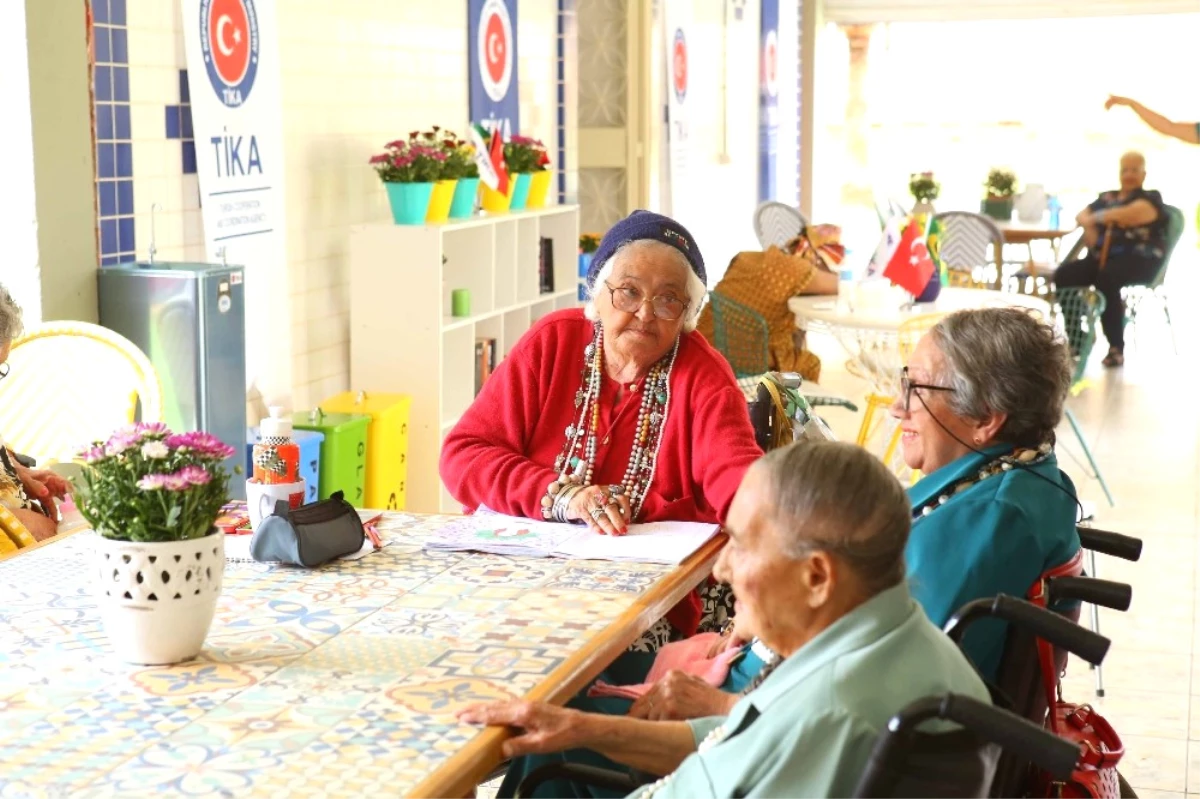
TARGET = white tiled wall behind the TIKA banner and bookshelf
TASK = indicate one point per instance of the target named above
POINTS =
(355, 76)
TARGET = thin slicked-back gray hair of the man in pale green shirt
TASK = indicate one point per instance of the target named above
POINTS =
(839, 498)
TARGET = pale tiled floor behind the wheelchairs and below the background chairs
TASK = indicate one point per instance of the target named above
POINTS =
(1145, 432)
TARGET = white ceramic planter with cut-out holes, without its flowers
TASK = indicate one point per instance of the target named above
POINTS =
(158, 599)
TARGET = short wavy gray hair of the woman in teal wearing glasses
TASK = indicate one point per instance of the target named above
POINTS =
(1005, 361)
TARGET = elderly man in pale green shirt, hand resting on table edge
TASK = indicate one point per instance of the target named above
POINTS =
(818, 533)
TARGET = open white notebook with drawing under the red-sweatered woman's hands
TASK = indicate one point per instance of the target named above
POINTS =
(668, 543)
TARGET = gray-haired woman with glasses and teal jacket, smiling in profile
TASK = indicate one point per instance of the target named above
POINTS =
(977, 408)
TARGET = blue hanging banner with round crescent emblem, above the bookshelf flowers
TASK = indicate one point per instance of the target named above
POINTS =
(494, 98)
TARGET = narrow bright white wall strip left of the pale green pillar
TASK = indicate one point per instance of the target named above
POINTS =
(19, 224)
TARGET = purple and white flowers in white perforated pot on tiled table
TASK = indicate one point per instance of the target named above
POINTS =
(154, 497)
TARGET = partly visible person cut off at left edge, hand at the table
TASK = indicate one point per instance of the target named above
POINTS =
(28, 495)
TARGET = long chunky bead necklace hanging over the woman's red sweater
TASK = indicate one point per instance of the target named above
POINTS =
(577, 464)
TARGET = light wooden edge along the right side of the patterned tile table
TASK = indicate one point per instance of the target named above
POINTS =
(464, 771)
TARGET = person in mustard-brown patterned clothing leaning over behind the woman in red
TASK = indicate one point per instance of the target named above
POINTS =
(766, 281)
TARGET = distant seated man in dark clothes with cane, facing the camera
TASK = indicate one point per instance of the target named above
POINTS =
(1126, 237)
